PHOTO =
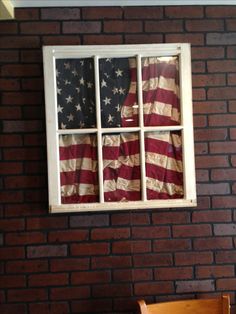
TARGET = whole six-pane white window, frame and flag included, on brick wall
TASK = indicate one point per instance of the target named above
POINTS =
(122, 137)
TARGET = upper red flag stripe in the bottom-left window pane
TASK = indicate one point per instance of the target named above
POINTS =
(78, 151)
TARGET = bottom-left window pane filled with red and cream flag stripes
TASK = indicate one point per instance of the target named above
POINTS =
(78, 168)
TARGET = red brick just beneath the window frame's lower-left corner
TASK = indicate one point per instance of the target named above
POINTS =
(46, 223)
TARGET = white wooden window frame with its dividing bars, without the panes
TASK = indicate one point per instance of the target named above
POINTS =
(50, 54)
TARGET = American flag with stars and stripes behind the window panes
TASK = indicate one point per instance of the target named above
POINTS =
(119, 108)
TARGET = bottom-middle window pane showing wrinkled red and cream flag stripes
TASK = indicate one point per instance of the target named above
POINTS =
(121, 167)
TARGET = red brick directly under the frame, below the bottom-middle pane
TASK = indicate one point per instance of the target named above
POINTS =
(130, 219)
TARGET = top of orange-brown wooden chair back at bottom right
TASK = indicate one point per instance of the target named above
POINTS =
(219, 305)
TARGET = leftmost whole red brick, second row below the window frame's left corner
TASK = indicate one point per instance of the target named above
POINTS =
(25, 238)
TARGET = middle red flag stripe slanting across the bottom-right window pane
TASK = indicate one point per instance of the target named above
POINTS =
(164, 175)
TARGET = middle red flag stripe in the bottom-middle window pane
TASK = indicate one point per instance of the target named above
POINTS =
(125, 172)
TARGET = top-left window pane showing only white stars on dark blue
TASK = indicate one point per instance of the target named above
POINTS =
(75, 93)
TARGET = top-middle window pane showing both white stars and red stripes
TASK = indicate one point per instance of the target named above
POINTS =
(118, 90)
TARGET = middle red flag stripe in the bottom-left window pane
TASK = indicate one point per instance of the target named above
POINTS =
(79, 176)
